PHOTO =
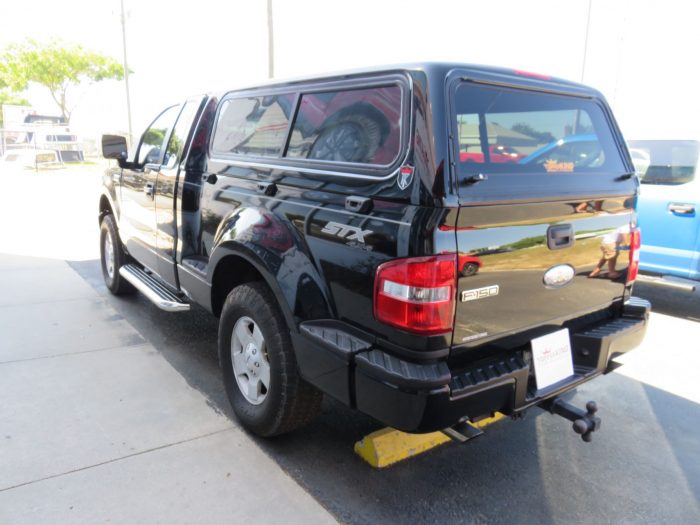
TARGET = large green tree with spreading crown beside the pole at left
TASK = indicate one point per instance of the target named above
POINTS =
(56, 65)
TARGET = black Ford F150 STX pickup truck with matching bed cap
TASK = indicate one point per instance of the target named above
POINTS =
(428, 244)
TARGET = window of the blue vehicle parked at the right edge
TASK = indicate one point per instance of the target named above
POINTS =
(665, 161)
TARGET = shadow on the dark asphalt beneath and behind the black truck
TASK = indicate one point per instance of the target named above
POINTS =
(534, 470)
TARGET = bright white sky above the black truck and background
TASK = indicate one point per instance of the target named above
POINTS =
(640, 54)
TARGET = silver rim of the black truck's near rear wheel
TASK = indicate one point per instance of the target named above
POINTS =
(249, 360)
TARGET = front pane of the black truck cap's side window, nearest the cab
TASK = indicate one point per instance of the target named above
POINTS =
(253, 126)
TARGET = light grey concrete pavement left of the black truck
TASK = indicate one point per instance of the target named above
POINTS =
(96, 426)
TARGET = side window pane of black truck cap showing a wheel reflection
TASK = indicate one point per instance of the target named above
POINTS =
(360, 126)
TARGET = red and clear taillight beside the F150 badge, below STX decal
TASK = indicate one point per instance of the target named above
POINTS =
(417, 294)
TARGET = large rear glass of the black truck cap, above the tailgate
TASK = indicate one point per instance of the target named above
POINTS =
(509, 131)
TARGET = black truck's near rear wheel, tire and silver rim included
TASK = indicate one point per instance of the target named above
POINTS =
(259, 367)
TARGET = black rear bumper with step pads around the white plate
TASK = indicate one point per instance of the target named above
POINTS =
(417, 397)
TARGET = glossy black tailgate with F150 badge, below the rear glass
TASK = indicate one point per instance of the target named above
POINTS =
(511, 279)
